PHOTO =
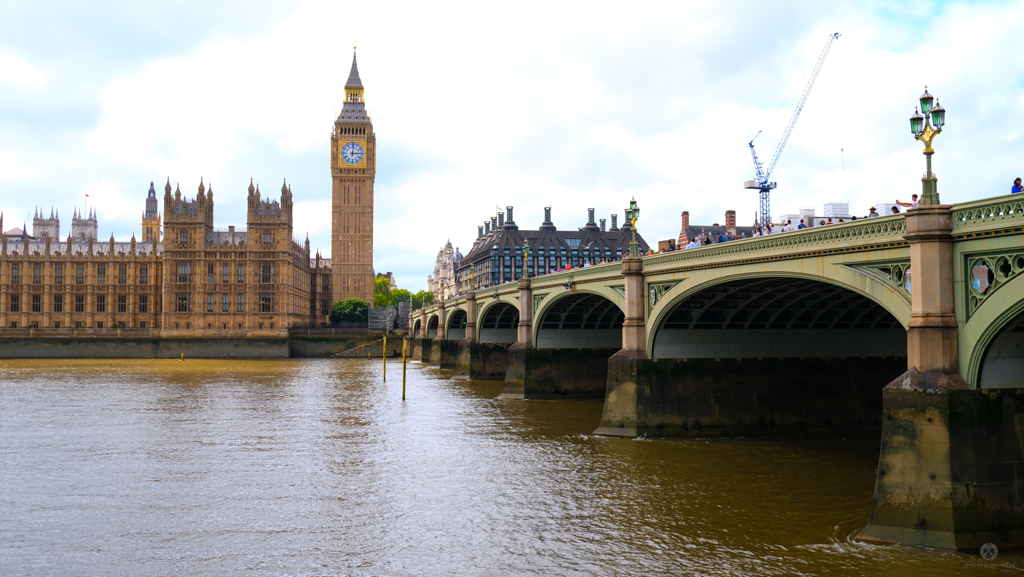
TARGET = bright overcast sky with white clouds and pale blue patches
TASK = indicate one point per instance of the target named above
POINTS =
(478, 105)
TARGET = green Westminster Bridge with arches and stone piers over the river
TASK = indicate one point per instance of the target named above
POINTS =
(911, 324)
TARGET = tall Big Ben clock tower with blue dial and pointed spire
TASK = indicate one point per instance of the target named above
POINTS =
(354, 162)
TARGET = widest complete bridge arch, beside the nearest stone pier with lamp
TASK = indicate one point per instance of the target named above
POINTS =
(775, 316)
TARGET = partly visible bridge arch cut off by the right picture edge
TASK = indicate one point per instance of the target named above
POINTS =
(990, 339)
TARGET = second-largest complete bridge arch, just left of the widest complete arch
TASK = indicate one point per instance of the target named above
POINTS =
(579, 320)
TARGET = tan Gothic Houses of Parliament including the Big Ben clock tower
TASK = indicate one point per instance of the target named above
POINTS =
(185, 276)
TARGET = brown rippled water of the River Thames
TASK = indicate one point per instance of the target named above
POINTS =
(318, 468)
